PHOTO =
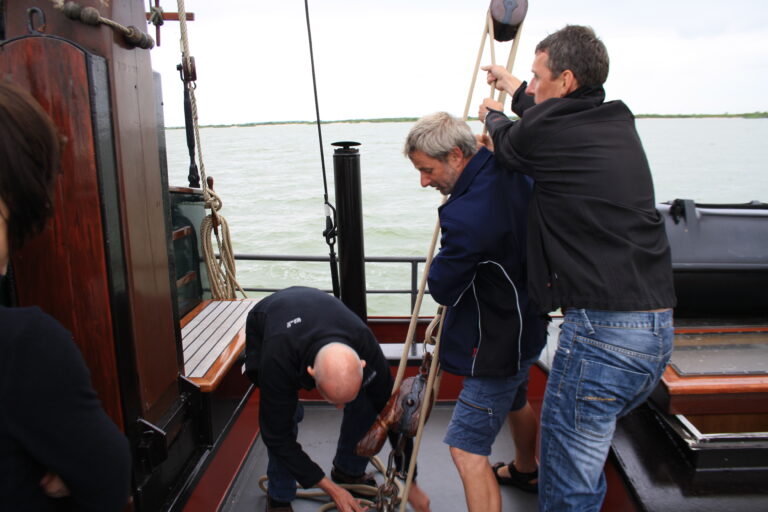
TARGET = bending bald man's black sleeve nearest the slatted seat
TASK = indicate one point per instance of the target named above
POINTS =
(278, 401)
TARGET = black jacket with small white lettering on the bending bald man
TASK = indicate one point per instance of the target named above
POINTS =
(284, 332)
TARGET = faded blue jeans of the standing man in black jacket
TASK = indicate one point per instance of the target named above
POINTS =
(606, 364)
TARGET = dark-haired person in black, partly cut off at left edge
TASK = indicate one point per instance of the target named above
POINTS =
(58, 448)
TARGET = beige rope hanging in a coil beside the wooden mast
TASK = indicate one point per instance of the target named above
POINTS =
(221, 271)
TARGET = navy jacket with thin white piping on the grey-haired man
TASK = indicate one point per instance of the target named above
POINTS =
(480, 274)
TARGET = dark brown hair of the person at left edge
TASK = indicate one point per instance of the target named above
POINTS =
(29, 163)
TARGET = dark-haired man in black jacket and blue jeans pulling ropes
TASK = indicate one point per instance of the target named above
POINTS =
(597, 248)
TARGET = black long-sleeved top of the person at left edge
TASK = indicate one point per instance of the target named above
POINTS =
(51, 420)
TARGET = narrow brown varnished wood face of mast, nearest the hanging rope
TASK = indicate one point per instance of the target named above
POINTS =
(158, 360)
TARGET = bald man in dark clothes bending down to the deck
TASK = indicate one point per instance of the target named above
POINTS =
(304, 338)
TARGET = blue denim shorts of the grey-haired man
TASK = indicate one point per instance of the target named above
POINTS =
(482, 408)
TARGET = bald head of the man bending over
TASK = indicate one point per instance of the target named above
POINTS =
(338, 373)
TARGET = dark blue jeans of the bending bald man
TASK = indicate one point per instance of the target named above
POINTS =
(359, 415)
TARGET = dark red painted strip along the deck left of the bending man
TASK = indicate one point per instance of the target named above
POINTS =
(212, 488)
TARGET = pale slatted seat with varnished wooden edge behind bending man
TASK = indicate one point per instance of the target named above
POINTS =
(213, 337)
